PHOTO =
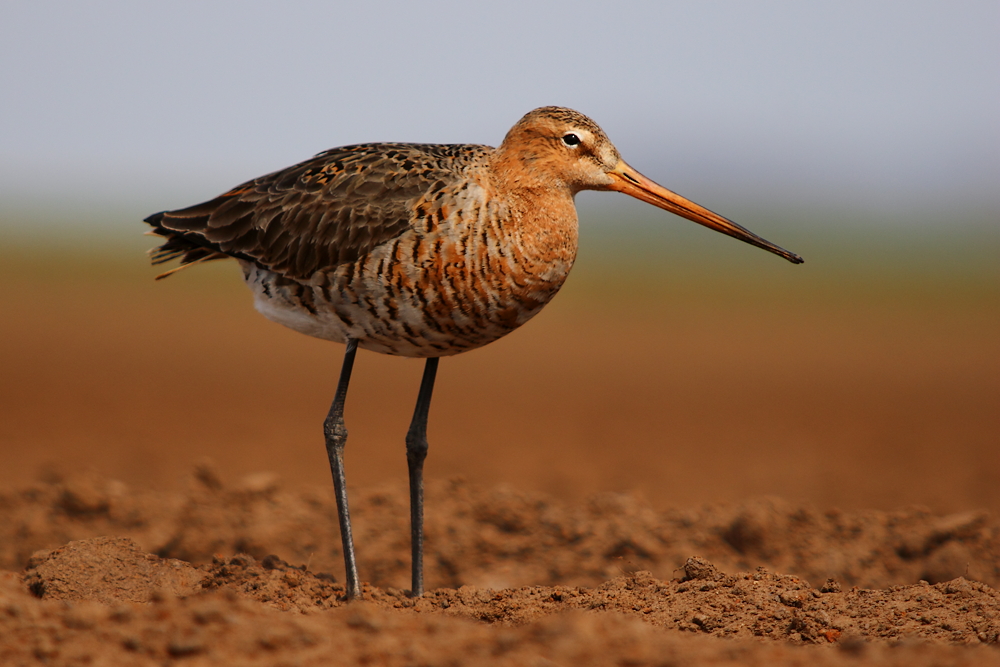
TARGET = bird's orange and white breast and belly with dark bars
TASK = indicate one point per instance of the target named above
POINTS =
(469, 271)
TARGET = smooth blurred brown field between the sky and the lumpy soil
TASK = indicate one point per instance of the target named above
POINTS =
(693, 378)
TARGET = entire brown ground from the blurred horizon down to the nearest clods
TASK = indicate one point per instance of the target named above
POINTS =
(703, 472)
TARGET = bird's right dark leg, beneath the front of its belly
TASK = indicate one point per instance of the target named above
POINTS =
(416, 452)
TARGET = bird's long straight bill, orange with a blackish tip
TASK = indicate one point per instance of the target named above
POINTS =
(628, 180)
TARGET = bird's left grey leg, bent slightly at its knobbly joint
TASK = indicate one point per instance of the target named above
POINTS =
(336, 438)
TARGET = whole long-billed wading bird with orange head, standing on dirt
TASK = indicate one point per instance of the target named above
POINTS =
(415, 250)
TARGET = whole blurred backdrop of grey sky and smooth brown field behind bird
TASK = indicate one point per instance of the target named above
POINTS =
(677, 362)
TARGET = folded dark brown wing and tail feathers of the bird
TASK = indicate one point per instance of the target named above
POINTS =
(329, 210)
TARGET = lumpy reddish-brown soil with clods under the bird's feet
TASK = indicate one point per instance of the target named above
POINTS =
(516, 578)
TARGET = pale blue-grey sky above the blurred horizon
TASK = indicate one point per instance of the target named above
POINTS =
(143, 106)
